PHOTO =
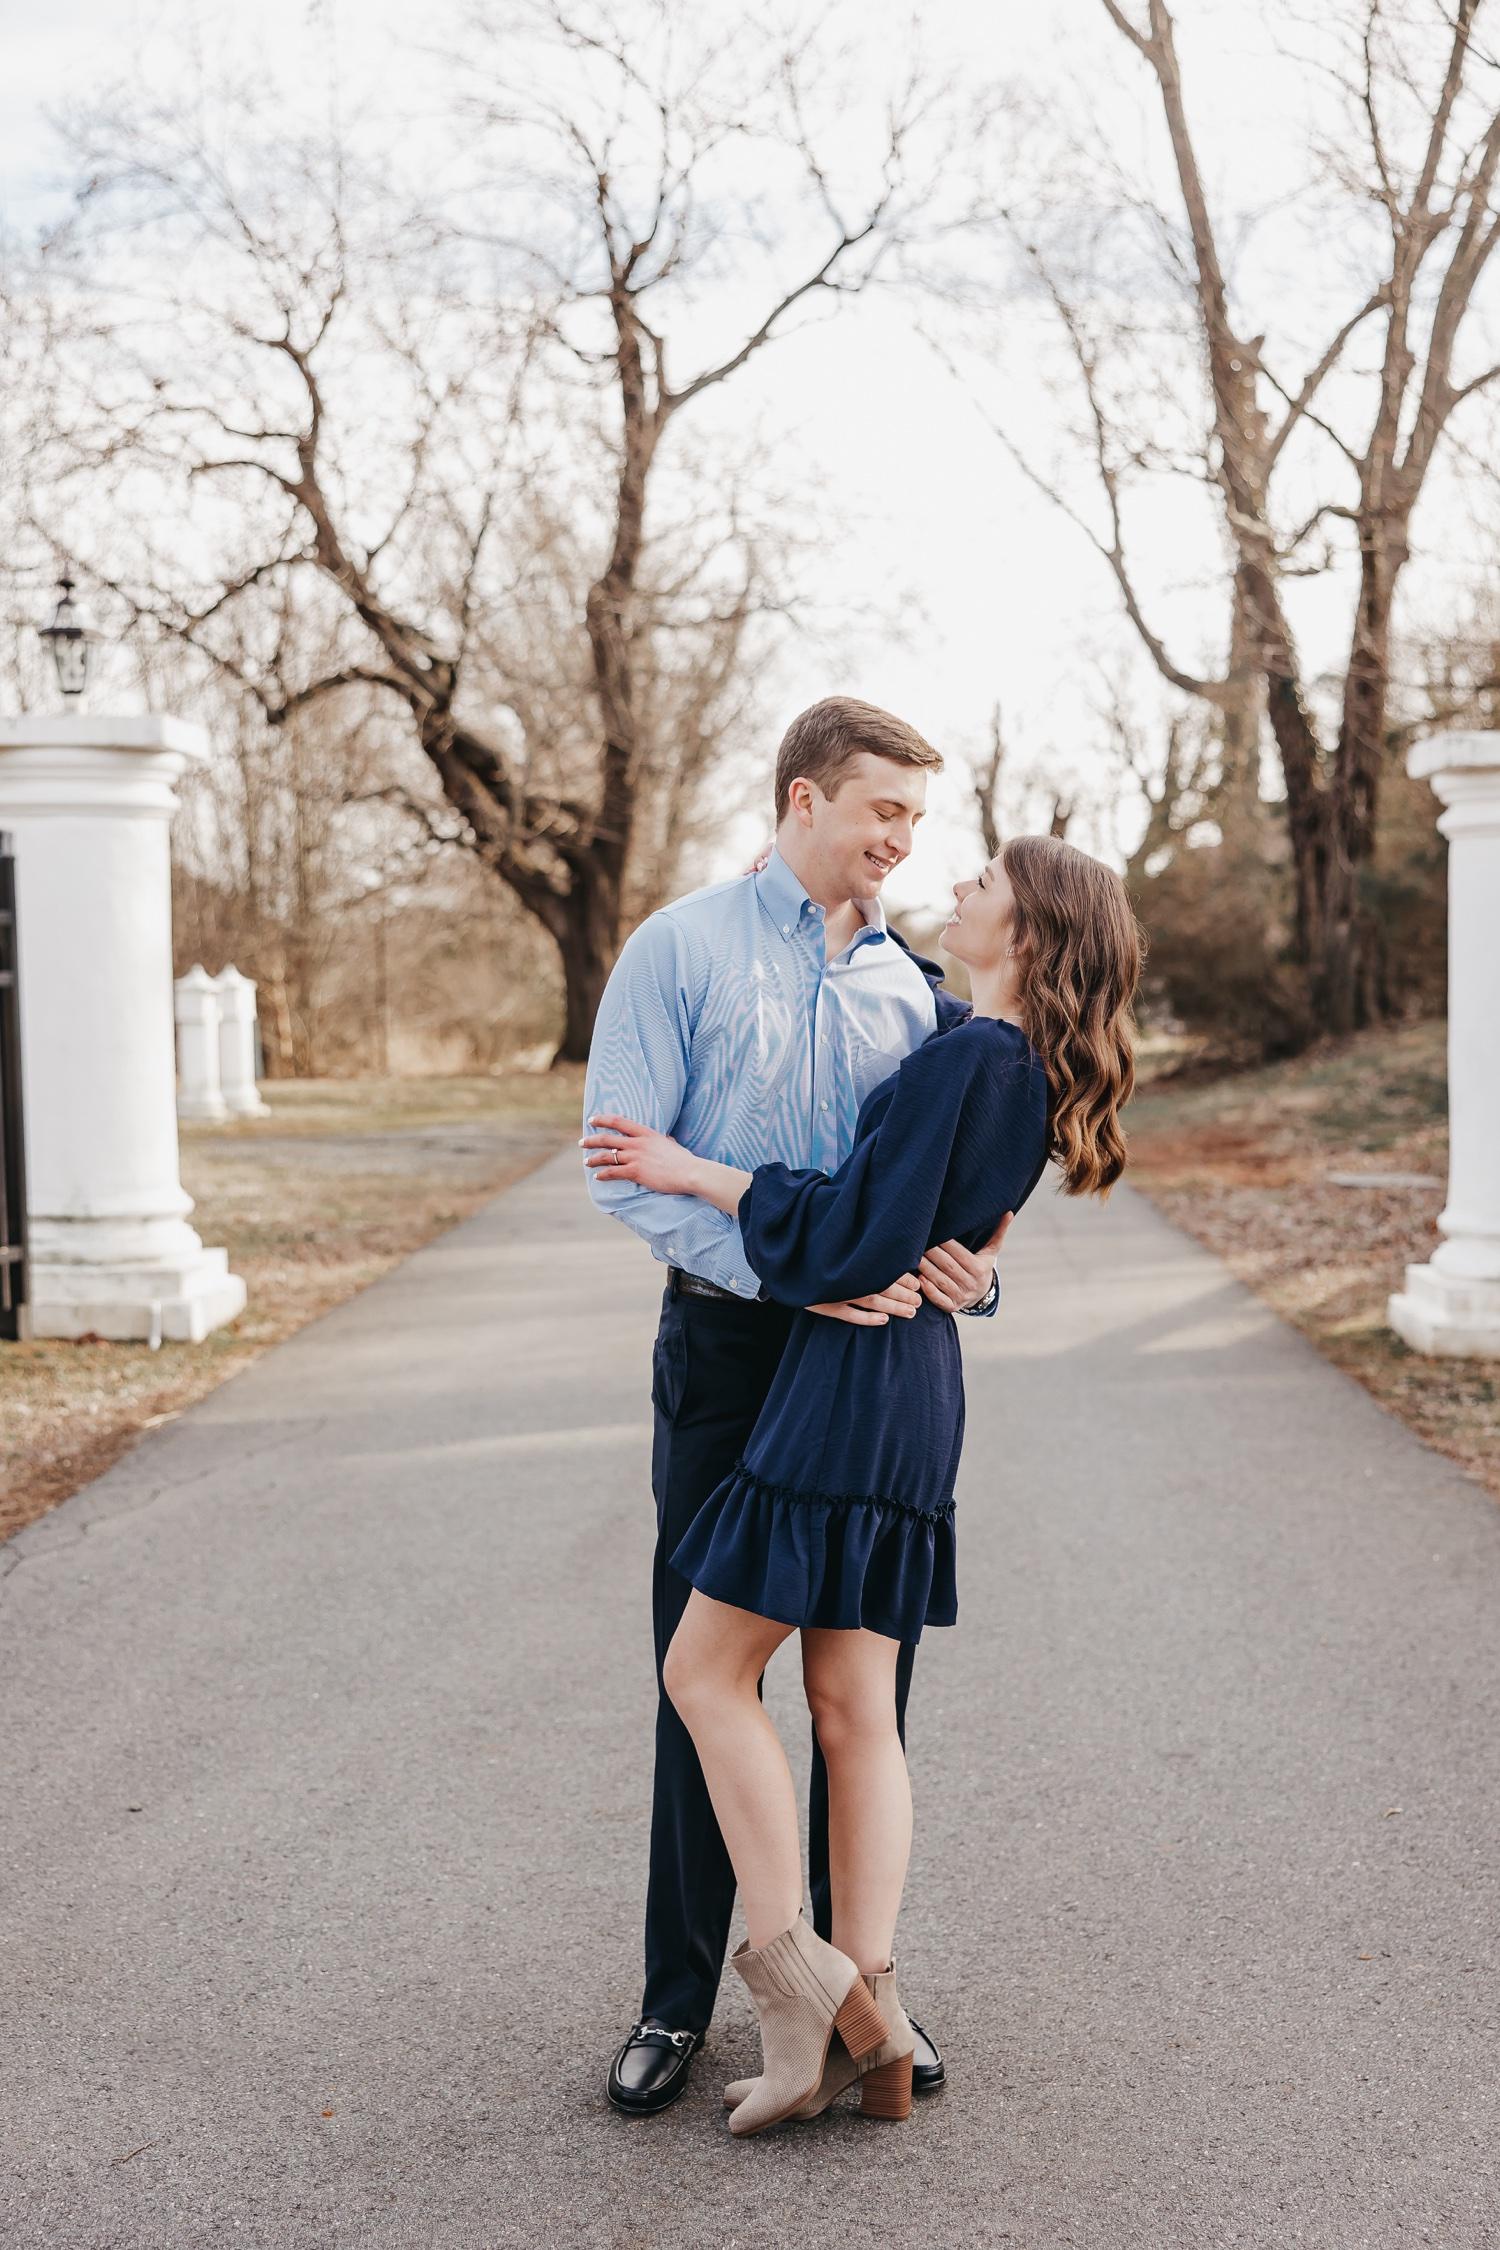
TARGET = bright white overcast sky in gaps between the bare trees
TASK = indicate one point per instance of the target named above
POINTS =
(1000, 595)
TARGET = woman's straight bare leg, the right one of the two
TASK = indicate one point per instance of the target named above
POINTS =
(851, 1693)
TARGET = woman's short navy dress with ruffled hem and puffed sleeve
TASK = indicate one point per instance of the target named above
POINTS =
(842, 1504)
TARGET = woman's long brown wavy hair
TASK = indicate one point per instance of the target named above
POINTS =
(1081, 953)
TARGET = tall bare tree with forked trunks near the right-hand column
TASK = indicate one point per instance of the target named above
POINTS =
(1440, 224)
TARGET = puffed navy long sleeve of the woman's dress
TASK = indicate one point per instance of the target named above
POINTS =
(959, 1144)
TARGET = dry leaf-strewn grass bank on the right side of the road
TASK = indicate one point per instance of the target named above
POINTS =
(1243, 1162)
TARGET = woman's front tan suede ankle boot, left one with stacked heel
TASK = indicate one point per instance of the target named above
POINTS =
(804, 1990)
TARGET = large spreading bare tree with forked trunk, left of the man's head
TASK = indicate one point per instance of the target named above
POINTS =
(527, 339)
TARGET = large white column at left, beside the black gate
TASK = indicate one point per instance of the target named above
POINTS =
(89, 802)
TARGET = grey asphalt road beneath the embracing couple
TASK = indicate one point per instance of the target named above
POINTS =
(325, 1779)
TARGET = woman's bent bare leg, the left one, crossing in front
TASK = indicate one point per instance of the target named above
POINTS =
(712, 1668)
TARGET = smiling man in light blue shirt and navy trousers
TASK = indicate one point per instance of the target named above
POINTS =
(750, 1020)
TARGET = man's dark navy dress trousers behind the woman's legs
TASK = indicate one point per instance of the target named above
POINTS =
(712, 1369)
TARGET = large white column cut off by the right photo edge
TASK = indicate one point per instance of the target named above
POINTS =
(1454, 1302)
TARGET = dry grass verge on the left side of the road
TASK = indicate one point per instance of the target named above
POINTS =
(311, 1203)
